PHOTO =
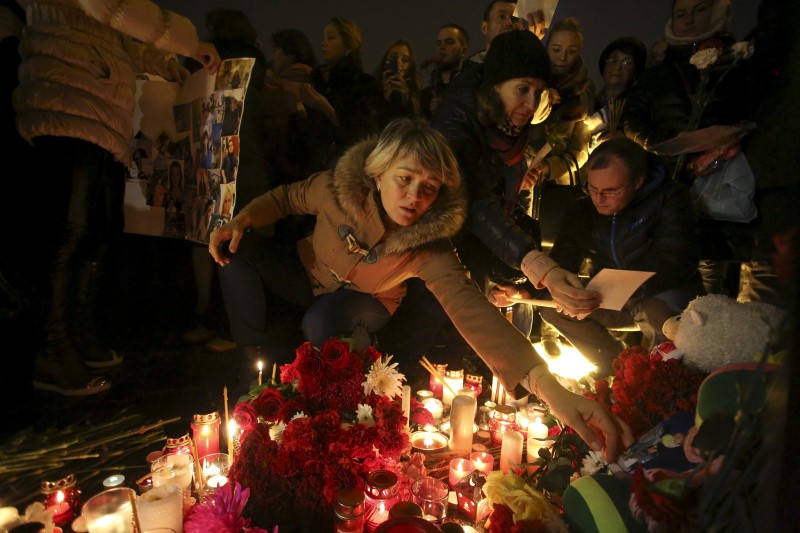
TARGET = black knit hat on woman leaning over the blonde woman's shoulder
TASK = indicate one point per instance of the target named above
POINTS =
(516, 54)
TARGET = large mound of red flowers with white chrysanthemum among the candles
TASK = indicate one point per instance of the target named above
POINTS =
(332, 419)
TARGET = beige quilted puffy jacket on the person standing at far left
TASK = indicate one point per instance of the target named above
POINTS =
(80, 59)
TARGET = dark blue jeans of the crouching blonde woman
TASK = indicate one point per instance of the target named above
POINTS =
(261, 263)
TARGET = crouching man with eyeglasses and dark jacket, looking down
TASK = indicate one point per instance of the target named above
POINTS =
(634, 217)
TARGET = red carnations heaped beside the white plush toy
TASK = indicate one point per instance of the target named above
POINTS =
(647, 389)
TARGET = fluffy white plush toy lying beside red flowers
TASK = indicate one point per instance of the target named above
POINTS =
(716, 330)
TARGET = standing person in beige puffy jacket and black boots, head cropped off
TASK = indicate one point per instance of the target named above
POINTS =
(75, 103)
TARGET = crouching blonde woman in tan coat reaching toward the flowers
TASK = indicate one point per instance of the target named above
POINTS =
(384, 215)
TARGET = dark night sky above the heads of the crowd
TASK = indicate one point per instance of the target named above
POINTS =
(418, 21)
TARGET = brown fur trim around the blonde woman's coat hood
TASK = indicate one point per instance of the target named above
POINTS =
(355, 194)
